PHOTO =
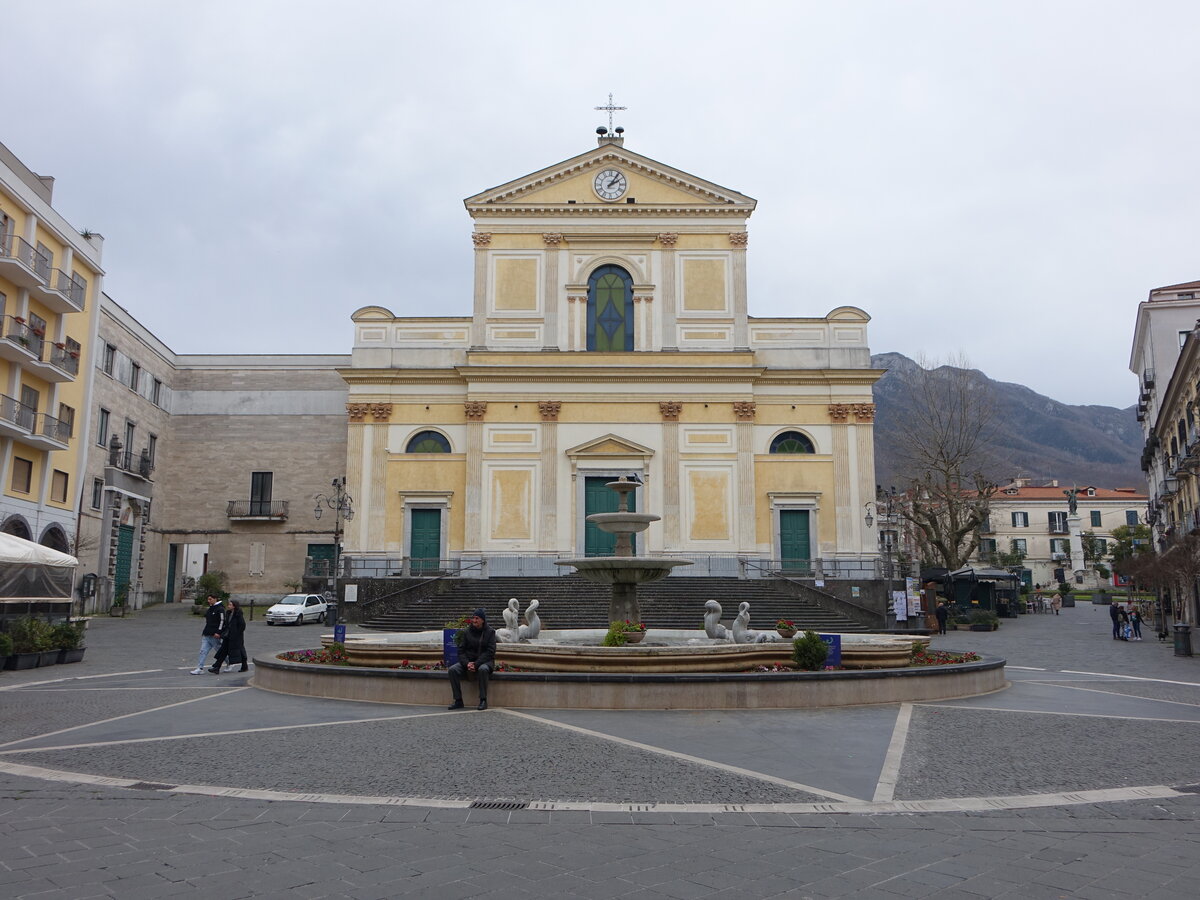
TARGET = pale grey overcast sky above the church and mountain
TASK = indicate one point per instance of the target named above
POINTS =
(1003, 181)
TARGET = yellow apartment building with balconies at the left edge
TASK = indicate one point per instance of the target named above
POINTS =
(50, 283)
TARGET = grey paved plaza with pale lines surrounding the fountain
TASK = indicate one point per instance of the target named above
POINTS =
(127, 777)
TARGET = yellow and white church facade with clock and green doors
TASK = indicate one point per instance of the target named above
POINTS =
(610, 337)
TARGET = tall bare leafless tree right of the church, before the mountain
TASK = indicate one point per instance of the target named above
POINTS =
(943, 452)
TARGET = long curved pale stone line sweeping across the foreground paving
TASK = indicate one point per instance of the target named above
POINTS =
(956, 805)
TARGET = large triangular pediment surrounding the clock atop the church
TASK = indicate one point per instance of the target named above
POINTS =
(569, 184)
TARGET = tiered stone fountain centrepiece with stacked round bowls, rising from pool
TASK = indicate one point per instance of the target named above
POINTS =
(623, 571)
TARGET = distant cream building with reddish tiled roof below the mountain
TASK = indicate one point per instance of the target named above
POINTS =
(1036, 521)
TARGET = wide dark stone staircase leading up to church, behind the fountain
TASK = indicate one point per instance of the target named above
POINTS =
(571, 602)
